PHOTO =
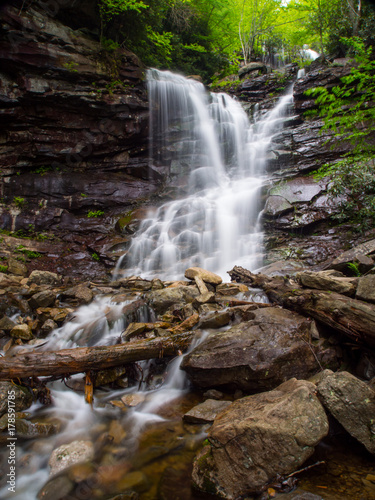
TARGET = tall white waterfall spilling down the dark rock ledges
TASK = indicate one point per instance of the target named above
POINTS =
(216, 159)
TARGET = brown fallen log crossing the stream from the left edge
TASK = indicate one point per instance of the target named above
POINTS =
(84, 359)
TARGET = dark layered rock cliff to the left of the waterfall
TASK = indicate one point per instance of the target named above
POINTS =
(74, 128)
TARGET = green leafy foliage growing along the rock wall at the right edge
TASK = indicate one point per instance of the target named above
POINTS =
(348, 113)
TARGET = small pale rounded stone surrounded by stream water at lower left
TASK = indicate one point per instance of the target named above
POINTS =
(68, 454)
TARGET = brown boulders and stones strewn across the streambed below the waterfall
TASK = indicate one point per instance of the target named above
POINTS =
(276, 382)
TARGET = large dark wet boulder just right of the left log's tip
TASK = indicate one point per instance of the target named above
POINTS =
(254, 355)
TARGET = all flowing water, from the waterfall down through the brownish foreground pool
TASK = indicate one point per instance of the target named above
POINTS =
(217, 158)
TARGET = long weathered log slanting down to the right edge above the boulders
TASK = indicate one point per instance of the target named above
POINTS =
(354, 318)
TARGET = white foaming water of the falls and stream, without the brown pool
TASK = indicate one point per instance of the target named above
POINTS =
(214, 225)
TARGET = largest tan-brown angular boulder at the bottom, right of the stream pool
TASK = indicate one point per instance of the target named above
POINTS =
(258, 437)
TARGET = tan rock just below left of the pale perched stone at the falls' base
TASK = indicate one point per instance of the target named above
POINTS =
(176, 297)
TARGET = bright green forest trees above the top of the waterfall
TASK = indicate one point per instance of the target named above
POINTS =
(213, 38)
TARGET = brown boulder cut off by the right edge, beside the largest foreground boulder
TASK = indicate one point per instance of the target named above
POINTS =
(352, 403)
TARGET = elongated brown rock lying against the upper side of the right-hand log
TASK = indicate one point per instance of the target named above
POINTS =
(325, 280)
